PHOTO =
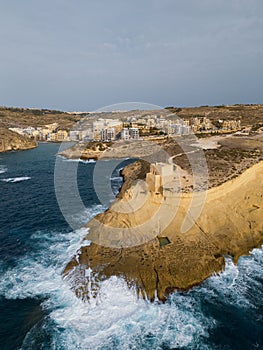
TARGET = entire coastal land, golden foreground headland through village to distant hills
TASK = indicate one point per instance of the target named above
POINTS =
(160, 238)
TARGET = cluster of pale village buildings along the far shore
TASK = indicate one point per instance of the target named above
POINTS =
(134, 128)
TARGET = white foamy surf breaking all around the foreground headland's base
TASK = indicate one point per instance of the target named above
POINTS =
(116, 319)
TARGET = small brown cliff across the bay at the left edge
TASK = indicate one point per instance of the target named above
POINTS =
(12, 141)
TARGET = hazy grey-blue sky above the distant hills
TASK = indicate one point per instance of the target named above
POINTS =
(82, 55)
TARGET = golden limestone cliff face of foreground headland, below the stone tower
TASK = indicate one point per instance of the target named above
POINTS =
(127, 240)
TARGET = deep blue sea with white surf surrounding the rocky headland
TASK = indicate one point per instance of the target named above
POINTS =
(38, 310)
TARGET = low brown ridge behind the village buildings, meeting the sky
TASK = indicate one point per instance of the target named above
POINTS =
(249, 114)
